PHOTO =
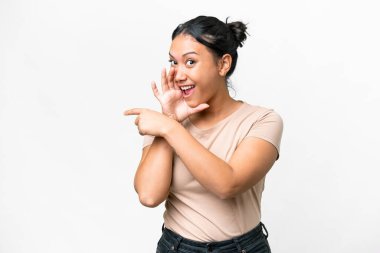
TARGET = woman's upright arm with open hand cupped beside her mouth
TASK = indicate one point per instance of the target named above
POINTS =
(154, 173)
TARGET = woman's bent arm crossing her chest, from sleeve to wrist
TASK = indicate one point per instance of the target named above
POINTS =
(248, 165)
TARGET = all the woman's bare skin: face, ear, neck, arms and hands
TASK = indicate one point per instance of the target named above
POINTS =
(210, 102)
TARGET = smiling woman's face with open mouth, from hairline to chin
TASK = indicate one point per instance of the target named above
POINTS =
(197, 72)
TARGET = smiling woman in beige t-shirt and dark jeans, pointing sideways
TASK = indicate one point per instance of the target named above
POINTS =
(206, 154)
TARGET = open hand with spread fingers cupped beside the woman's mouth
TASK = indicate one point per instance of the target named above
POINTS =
(171, 99)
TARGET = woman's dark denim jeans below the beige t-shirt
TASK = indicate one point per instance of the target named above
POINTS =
(254, 241)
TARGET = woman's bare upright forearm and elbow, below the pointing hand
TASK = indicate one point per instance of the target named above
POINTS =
(154, 173)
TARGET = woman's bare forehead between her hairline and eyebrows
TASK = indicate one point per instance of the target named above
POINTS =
(184, 43)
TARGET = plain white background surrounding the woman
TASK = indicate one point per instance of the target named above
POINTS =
(68, 70)
